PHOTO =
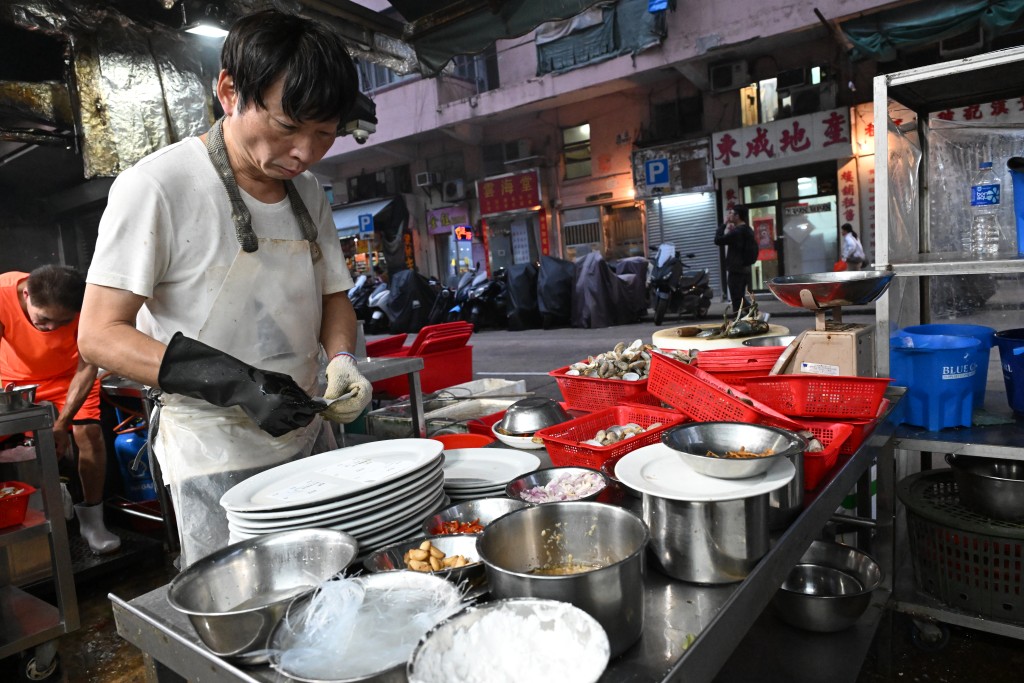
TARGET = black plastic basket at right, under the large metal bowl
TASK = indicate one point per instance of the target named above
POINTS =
(965, 560)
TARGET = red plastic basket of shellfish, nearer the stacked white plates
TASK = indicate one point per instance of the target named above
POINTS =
(564, 441)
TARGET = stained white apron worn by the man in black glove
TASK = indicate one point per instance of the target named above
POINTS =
(268, 314)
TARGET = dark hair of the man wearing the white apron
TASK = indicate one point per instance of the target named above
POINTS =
(320, 79)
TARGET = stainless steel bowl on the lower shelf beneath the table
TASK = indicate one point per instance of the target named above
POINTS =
(829, 590)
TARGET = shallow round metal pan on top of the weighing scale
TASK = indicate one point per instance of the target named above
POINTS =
(832, 289)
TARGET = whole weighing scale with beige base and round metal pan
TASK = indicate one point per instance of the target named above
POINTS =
(833, 348)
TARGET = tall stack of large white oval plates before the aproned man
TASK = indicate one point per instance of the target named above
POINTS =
(379, 493)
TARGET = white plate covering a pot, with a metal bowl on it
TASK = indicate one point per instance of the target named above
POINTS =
(658, 471)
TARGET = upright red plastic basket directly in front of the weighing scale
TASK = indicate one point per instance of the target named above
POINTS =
(821, 396)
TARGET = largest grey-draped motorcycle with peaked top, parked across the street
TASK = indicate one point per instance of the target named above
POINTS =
(602, 298)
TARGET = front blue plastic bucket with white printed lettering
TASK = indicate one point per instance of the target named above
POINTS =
(938, 372)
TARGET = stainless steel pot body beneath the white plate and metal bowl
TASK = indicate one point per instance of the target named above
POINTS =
(708, 542)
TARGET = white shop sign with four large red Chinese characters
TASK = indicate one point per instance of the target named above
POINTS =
(799, 140)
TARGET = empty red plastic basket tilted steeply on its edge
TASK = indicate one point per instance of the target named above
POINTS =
(706, 399)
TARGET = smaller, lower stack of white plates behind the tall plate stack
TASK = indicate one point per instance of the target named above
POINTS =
(474, 474)
